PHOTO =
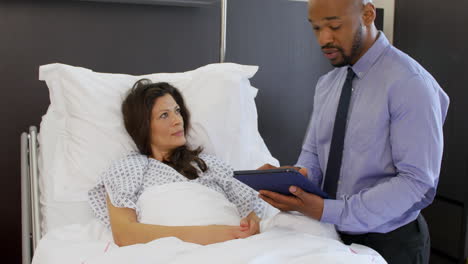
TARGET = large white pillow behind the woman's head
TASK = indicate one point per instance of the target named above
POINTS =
(82, 131)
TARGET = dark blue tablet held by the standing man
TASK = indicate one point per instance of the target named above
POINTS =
(277, 180)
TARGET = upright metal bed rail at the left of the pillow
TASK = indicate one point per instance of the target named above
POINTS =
(30, 217)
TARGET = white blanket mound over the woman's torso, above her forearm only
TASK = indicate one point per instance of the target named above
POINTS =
(190, 204)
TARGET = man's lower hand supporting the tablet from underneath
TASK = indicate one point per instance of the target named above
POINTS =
(306, 203)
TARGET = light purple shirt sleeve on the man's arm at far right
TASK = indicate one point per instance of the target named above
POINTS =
(417, 113)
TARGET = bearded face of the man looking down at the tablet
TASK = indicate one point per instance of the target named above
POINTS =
(337, 26)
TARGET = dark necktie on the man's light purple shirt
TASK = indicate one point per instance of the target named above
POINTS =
(335, 156)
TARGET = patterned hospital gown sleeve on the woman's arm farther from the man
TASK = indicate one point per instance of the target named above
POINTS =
(122, 182)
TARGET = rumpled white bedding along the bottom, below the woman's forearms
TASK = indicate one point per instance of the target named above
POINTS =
(281, 242)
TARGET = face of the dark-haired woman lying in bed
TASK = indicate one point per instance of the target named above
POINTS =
(167, 126)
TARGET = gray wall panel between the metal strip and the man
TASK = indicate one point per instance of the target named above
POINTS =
(276, 35)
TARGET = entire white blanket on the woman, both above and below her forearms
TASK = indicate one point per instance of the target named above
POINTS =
(285, 238)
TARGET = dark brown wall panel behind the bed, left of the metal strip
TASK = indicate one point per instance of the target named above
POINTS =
(134, 39)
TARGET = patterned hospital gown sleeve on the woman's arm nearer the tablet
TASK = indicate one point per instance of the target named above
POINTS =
(242, 196)
